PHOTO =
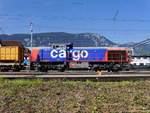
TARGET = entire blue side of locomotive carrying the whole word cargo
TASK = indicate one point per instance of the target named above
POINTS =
(53, 55)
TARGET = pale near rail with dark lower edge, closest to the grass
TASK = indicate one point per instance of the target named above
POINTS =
(133, 77)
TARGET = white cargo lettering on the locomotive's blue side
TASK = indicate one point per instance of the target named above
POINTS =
(75, 54)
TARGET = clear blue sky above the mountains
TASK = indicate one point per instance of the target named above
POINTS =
(121, 21)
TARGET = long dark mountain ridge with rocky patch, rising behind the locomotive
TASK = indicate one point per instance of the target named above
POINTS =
(44, 39)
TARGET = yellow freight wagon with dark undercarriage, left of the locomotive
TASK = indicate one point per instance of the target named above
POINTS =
(11, 56)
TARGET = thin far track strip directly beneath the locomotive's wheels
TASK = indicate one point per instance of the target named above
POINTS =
(74, 73)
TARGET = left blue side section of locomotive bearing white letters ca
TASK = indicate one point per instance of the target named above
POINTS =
(52, 55)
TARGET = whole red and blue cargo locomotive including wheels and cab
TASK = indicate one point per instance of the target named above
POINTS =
(67, 57)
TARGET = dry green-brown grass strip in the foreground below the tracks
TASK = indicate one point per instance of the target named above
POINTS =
(74, 96)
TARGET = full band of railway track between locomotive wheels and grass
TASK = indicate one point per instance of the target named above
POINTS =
(79, 75)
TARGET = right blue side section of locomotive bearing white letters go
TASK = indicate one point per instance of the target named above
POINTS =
(87, 54)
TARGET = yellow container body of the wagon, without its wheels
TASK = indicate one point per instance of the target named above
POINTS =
(11, 54)
